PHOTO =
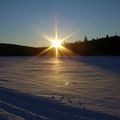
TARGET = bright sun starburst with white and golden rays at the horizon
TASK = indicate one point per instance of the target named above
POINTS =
(56, 43)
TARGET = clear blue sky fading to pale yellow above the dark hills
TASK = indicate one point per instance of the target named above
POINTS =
(27, 22)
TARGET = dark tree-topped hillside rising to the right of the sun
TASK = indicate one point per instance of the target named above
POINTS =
(109, 45)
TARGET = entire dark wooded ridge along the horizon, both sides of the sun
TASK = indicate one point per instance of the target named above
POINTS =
(95, 47)
